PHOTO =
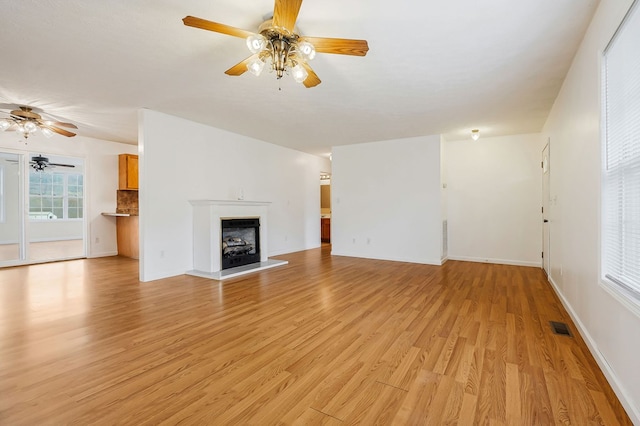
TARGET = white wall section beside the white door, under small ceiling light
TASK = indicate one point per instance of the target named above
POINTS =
(494, 199)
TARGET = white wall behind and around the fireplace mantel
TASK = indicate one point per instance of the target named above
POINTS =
(181, 160)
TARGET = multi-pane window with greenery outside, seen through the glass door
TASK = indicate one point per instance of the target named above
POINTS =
(55, 195)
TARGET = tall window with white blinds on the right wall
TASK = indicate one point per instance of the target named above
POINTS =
(621, 161)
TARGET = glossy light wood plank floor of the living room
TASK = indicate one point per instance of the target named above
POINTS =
(323, 340)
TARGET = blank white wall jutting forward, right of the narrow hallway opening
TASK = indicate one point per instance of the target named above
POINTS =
(386, 200)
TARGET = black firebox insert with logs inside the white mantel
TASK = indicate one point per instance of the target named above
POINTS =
(240, 243)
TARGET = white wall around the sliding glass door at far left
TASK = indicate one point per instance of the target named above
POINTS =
(101, 178)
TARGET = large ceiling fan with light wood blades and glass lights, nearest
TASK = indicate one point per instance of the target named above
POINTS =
(276, 42)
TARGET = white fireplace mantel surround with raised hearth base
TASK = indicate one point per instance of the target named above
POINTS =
(207, 235)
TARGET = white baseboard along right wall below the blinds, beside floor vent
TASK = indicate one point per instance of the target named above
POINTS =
(612, 378)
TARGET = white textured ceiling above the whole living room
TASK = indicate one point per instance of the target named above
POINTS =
(434, 67)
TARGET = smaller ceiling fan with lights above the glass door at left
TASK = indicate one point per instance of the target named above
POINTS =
(25, 121)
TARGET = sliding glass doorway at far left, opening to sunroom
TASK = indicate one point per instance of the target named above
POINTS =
(42, 208)
